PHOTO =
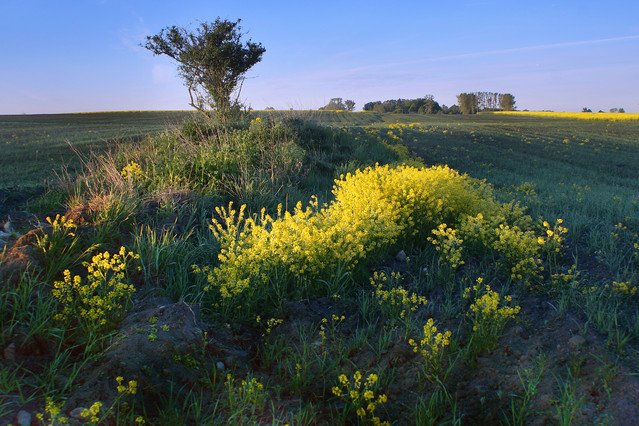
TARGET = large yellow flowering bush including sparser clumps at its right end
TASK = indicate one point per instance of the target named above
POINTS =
(373, 211)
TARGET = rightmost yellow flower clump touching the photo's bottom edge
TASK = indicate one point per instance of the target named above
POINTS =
(361, 396)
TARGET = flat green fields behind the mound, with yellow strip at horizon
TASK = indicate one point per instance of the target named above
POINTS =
(583, 170)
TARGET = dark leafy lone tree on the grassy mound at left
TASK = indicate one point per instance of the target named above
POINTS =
(212, 61)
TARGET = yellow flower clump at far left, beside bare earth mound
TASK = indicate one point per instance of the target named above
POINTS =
(101, 297)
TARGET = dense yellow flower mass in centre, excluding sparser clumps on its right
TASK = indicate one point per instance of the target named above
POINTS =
(372, 210)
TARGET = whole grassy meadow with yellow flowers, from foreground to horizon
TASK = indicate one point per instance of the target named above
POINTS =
(324, 268)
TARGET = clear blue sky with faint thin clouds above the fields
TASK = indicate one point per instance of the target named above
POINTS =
(83, 56)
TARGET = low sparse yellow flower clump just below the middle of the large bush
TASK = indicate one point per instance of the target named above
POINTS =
(396, 302)
